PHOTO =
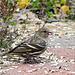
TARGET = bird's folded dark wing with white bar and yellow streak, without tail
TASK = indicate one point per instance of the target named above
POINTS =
(25, 47)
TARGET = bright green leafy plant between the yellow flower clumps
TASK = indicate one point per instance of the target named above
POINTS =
(44, 7)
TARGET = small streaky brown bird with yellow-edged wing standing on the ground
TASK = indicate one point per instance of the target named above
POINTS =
(32, 47)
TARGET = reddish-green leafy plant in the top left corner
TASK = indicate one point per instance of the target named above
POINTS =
(7, 8)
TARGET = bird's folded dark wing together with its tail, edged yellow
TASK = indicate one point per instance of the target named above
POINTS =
(25, 47)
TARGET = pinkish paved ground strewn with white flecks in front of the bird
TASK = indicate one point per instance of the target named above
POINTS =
(61, 63)
